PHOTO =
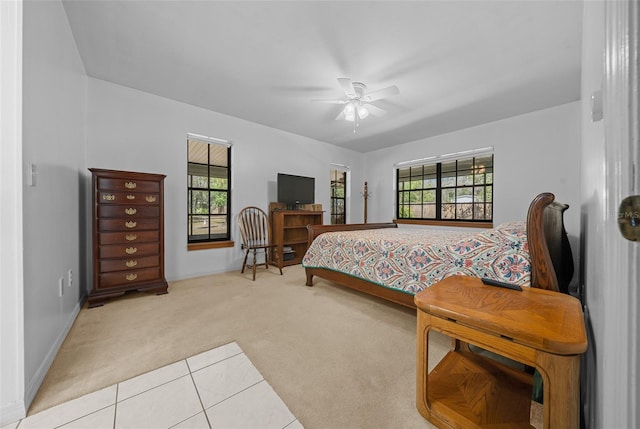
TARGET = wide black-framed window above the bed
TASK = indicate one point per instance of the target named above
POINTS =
(458, 190)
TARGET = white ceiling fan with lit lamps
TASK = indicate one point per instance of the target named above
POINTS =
(358, 103)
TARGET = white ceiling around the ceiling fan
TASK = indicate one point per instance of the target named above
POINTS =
(457, 63)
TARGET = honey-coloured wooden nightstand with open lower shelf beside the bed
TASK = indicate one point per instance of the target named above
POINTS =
(538, 328)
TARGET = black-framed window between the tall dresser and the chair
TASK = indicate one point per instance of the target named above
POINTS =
(208, 189)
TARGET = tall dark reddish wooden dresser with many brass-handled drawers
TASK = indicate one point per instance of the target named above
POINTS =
(128, 234)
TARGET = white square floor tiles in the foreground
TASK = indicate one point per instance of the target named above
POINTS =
(219, 388)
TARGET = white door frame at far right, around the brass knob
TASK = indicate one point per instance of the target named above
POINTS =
(618, 394)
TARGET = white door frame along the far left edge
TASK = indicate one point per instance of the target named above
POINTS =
(12, 391)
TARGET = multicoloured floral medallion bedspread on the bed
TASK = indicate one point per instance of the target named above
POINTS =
(410, 260)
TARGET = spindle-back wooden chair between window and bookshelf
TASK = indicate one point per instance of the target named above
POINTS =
(256, 235)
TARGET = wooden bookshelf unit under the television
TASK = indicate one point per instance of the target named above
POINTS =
(289, 228)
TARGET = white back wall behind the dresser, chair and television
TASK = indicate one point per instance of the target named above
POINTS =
(137, 131)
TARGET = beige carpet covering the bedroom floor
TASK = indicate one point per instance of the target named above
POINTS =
(337, 358)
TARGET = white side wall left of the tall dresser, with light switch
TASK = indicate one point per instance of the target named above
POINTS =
(54, 110)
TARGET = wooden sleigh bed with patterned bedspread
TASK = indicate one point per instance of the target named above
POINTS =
(396, 263)
